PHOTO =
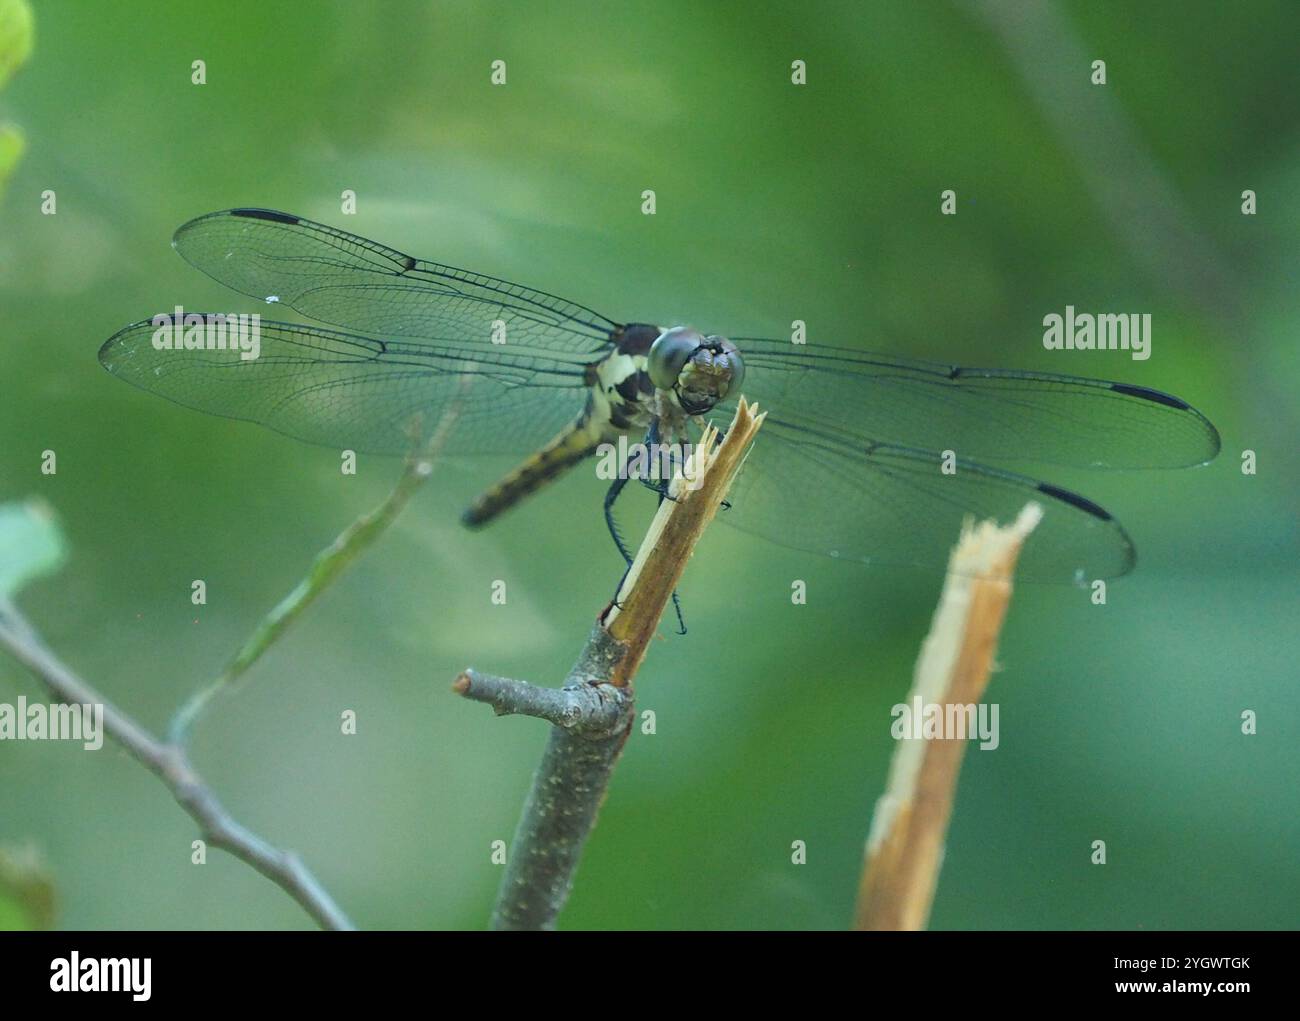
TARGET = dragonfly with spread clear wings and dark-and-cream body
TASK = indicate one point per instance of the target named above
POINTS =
(863, 457)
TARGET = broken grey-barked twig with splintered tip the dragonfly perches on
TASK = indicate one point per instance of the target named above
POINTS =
(595, 712)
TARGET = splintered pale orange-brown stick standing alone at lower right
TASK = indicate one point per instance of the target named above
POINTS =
(907, 843)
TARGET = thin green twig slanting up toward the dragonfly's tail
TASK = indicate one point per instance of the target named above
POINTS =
(326, 569)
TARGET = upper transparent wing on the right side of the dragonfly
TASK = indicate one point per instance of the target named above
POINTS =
(985, 414)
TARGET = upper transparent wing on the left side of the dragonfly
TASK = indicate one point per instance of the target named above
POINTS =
(345, 280)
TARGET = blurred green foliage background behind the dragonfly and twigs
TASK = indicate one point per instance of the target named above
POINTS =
(774, 204)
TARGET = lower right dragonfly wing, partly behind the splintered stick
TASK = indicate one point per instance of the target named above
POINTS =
(894, 505)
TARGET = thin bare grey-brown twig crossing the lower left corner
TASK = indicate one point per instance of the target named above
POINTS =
(170, 764)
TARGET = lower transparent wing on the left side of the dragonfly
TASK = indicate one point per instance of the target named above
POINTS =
(350, 392)
